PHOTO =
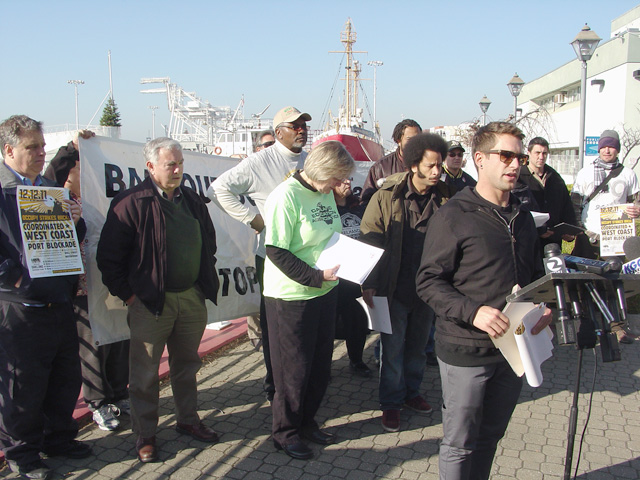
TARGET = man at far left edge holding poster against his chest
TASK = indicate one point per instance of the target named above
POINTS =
(39, 364)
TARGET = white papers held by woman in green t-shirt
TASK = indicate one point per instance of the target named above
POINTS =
(356, 259)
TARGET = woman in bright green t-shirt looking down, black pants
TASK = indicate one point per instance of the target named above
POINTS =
(300, 218)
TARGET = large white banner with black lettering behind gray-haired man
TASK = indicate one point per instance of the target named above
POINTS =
(109, 167)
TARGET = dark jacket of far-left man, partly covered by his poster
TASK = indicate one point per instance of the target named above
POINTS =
(13, 263)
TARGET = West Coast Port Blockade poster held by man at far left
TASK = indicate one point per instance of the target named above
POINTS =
(48, 233)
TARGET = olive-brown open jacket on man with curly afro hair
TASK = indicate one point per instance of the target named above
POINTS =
(383, 225)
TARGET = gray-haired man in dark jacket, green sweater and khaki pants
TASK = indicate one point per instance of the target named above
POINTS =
(156, 253)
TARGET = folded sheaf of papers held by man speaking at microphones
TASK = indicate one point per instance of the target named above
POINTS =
(524, 351)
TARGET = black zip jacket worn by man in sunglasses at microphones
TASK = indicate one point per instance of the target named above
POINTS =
(471, 258)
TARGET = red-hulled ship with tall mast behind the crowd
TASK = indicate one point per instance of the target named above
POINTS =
(349, 126)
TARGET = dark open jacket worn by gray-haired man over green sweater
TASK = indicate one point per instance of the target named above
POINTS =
(132, 248)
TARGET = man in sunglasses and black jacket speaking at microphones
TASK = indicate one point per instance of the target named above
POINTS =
(477, 248)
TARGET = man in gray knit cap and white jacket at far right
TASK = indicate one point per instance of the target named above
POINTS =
(602, 183)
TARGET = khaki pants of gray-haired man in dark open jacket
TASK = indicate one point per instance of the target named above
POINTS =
(180, 328)
